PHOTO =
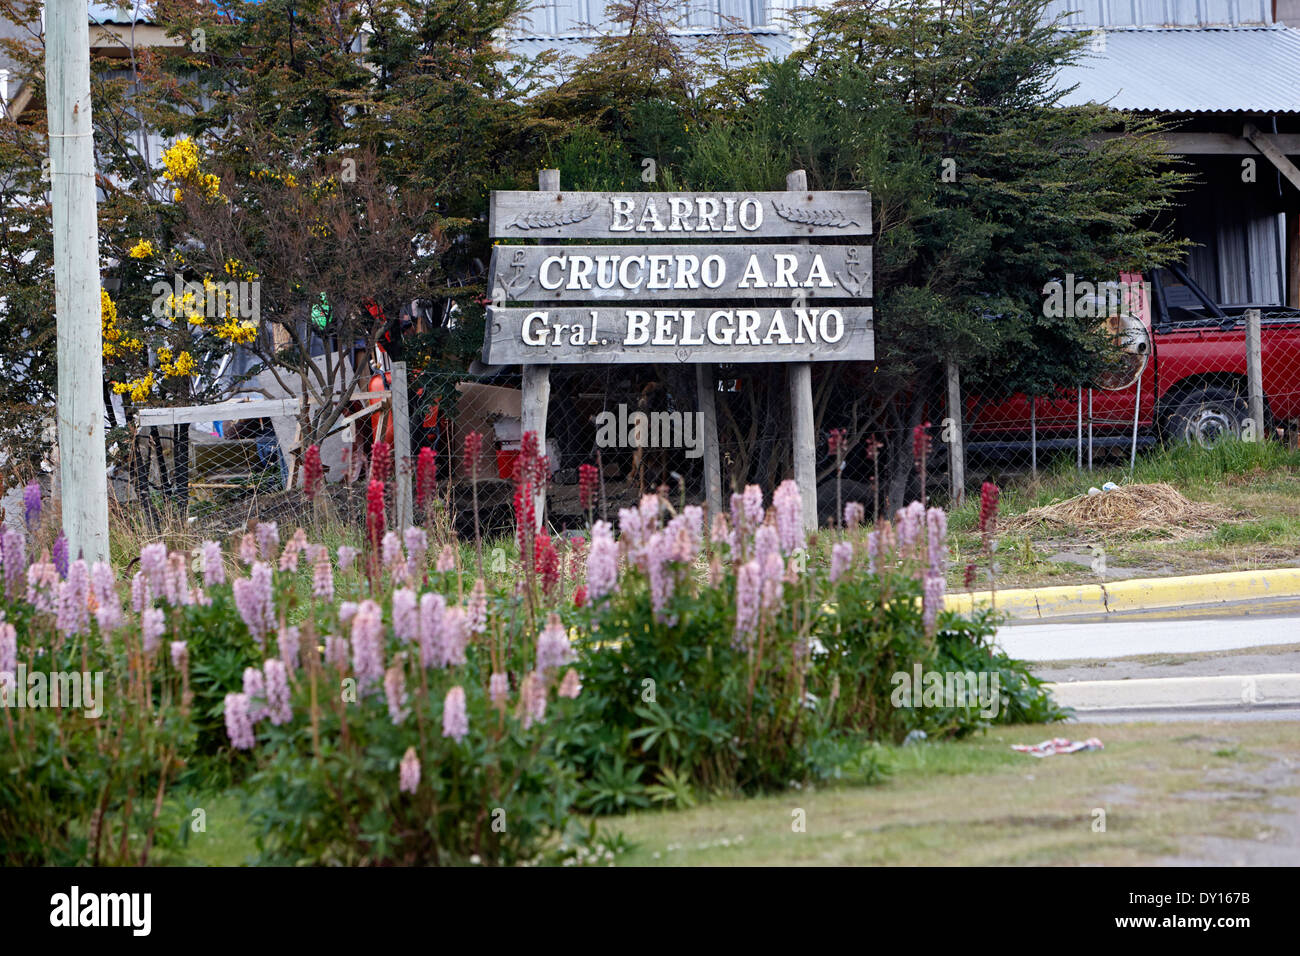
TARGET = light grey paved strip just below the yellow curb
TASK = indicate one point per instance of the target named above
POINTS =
(1125, 638)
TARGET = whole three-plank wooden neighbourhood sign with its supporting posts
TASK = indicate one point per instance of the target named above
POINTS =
(742, 282)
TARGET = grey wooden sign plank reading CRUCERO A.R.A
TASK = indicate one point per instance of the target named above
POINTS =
(762, 271)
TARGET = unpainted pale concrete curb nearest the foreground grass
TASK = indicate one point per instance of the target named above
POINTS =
(1164, 694)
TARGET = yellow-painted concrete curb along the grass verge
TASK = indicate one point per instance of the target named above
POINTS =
(1137, 595)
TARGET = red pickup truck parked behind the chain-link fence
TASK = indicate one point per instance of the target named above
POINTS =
(1193, 380)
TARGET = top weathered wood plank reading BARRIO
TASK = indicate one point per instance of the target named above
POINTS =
(557, 215)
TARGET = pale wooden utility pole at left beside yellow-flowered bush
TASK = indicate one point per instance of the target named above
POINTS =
(84, 470)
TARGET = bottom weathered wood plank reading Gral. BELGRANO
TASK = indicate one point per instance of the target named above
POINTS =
(682, 335)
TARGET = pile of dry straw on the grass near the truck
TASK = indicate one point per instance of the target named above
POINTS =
(1156, 509)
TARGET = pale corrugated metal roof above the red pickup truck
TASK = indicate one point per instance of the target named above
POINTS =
(1181, 71)
